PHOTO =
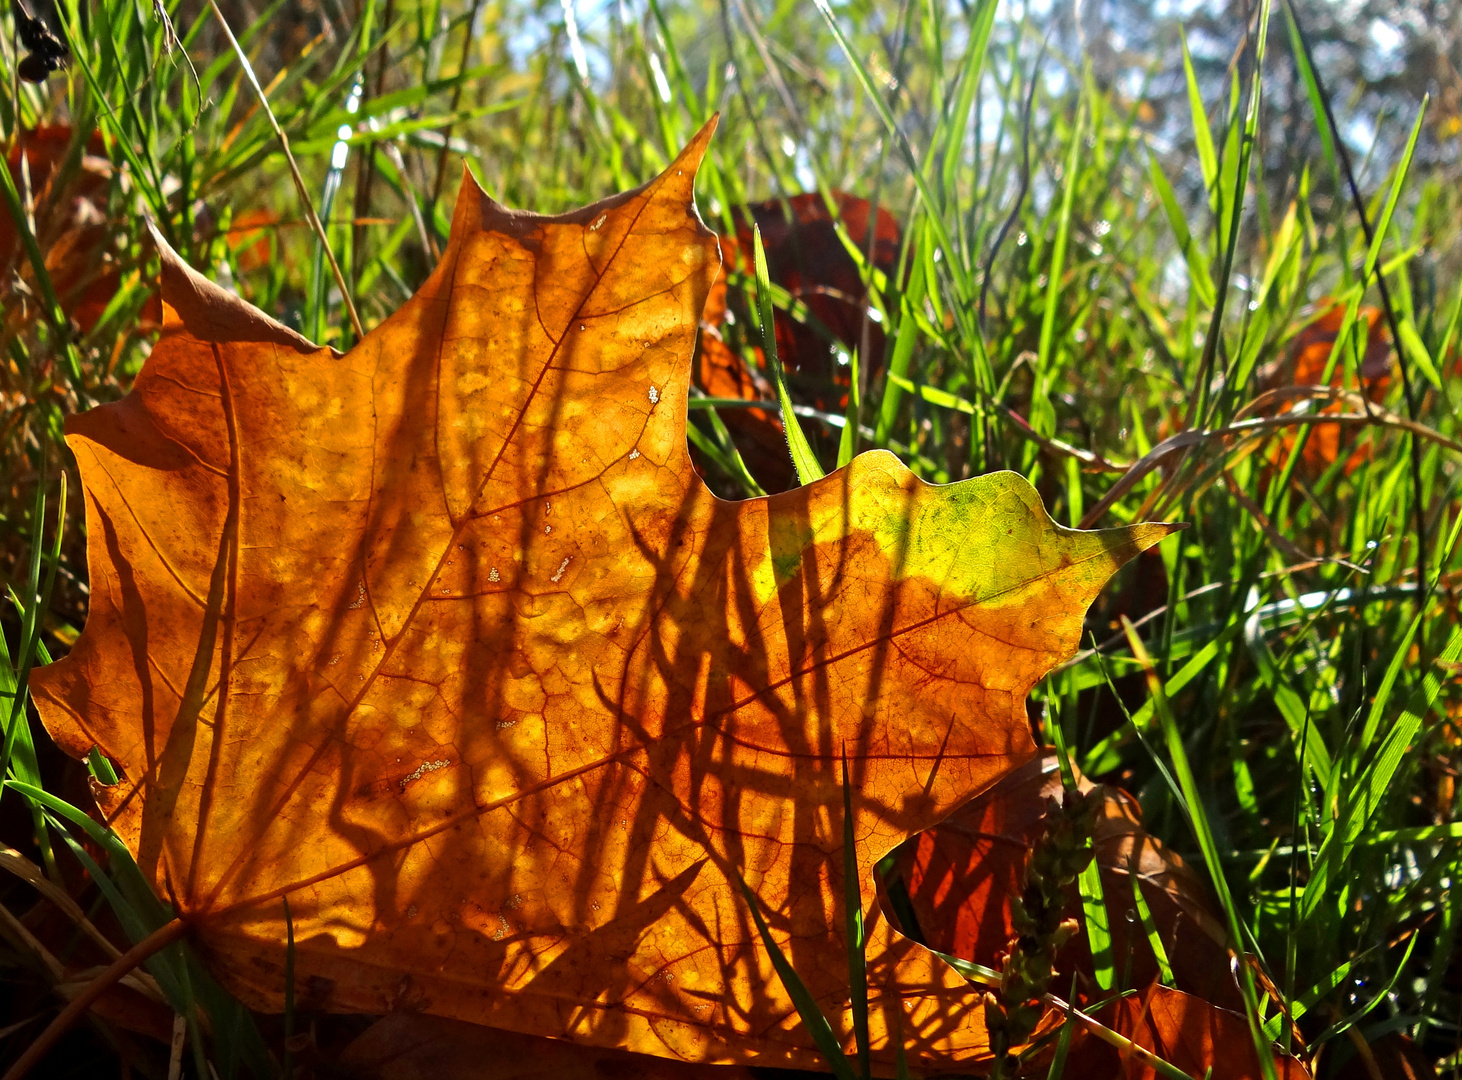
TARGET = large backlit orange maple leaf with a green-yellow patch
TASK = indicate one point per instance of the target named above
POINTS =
(445, 642)
